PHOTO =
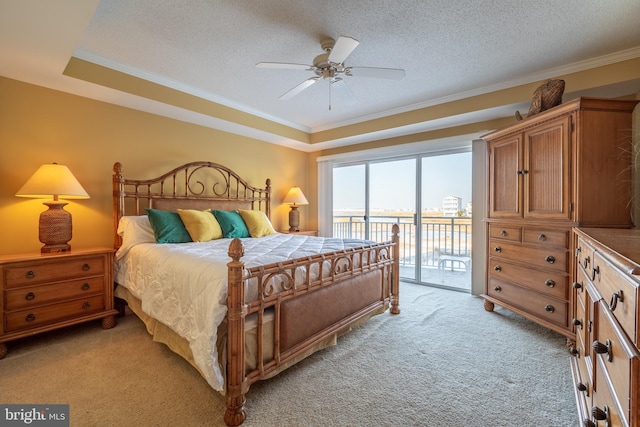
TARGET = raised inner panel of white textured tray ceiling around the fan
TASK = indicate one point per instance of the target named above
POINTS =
(447, 47)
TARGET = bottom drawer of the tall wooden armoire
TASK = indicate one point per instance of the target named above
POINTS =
(542, 306)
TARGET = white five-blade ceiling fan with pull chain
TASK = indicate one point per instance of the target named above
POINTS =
(330, 66)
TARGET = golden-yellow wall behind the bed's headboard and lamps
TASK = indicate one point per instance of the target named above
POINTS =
(39, 125)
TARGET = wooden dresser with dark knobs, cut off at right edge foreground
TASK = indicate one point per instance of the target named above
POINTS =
(605, 361)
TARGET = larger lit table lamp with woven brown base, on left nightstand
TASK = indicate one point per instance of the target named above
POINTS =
(54, 180)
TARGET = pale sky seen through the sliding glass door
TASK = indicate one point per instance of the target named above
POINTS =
(393, 183)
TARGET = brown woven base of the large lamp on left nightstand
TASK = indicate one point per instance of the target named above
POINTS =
(55, 228)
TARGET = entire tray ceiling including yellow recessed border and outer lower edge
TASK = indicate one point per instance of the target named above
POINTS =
(453, 51)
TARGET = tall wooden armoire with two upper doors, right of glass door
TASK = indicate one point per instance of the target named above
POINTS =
(565, 167)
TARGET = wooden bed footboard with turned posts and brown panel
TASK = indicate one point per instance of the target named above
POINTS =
(347, 286)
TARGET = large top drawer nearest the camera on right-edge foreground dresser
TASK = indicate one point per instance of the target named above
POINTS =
(618, 291)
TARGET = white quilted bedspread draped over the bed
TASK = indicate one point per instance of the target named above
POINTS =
(185, 285)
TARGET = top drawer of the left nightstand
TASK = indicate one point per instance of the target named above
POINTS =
(47, 271)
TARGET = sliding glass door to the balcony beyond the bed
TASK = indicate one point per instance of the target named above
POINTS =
(435, 246)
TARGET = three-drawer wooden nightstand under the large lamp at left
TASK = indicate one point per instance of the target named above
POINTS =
(43, 292)
